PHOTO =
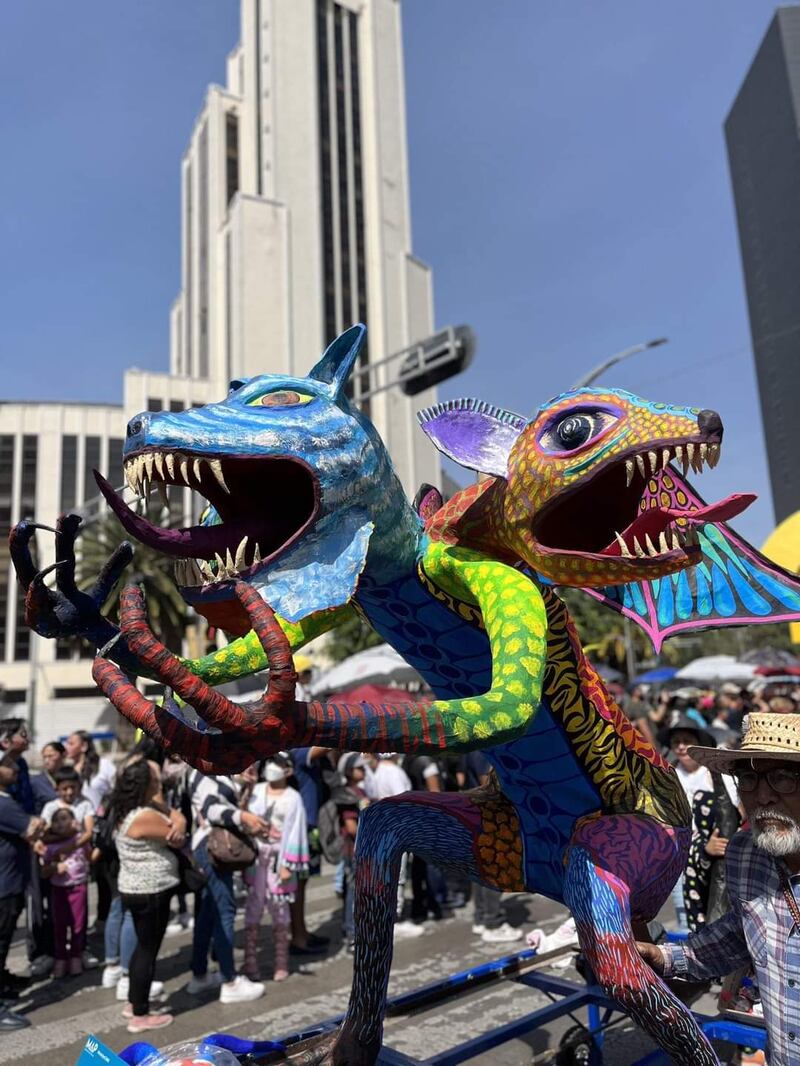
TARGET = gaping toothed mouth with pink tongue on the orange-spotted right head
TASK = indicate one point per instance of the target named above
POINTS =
(606, 518)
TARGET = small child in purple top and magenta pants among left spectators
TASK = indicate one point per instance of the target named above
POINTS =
(66, 865)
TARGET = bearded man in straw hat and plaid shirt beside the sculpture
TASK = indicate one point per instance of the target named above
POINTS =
(763, 877)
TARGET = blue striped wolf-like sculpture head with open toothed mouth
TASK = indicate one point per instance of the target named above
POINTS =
(300, 489)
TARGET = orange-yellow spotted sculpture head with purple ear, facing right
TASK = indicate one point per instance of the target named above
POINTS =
(583, 493)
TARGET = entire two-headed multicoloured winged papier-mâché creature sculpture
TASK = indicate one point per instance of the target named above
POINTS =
(306, 514)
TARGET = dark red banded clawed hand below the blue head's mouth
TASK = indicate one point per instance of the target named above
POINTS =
(242, 732)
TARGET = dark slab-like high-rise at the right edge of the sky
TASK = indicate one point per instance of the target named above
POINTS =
(763, 136)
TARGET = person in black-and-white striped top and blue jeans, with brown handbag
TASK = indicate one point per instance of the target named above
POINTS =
(216, 803)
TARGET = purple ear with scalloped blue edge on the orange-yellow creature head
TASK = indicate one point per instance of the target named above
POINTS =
(474, 433)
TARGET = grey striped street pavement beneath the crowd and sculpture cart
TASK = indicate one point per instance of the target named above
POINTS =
(65, 1012)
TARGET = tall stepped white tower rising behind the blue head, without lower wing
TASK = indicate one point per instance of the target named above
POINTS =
(296, 218)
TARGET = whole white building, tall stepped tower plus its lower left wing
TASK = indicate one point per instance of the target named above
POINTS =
(296, 224)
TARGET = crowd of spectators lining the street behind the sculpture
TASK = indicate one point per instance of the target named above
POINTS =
(171, 850)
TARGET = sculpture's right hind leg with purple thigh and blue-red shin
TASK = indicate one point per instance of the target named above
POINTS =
(619, 865)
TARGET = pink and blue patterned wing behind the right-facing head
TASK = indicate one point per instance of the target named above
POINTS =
(733, 586)
